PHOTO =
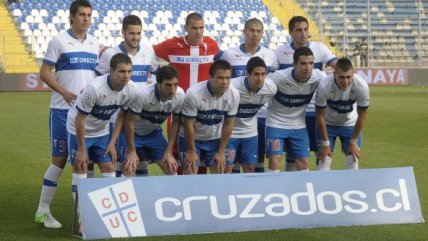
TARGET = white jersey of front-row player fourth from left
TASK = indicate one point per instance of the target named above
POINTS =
(249, 105)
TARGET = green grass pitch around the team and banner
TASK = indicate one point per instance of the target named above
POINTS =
(396, 135)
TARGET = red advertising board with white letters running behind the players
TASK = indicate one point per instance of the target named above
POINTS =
(375, 76)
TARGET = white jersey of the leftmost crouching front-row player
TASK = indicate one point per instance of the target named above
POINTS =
(99, 102)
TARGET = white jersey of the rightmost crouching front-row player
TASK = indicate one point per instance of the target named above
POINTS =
(341, 104)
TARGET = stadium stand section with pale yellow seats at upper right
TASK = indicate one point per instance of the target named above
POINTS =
(398, 33)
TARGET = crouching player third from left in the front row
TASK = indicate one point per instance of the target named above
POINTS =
(208, 116)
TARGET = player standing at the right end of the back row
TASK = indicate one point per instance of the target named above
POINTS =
(298, 28)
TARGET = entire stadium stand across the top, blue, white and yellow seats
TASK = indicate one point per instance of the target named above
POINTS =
(397, 34)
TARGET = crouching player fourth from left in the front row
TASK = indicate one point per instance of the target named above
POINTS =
(255, 90)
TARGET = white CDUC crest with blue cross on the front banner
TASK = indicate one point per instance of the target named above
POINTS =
(118, 208)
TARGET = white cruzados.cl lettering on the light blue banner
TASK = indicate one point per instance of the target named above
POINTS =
(244, 206)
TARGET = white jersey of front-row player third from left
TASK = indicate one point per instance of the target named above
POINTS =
(208, 111)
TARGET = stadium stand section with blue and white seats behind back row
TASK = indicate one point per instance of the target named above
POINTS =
(38, 24)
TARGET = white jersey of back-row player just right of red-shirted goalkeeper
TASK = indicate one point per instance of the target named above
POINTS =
(238, 58)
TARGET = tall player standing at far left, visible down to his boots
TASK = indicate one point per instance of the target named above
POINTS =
(73, 55)
